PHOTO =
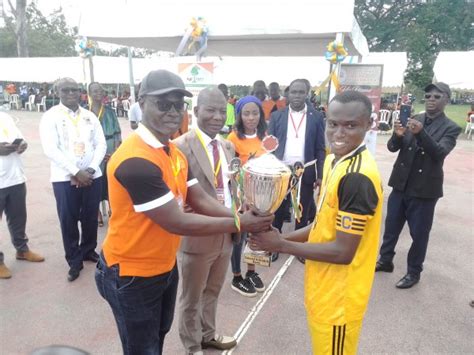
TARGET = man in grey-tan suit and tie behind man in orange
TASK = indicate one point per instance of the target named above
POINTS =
(204, 262)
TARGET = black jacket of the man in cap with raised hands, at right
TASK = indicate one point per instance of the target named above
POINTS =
(418, 170)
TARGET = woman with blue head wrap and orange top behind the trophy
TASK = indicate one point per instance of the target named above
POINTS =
(247, 135)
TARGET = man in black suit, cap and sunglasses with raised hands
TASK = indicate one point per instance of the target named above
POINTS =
(417, 180)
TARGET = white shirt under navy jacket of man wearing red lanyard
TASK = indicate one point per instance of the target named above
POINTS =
(295, 137)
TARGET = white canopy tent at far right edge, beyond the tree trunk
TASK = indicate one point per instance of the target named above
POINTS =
(455, 69)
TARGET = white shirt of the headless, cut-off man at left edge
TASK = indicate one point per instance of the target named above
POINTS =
(11, 168)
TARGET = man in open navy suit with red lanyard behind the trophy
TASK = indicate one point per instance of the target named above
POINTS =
(300, 132)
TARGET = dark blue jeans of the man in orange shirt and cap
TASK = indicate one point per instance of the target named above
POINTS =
(143, 307)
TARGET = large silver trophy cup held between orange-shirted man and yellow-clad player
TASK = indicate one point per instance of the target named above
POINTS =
(265, 185)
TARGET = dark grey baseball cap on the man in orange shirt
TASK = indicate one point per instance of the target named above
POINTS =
(160, 82)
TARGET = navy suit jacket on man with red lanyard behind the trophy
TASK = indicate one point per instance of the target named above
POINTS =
(314, 147)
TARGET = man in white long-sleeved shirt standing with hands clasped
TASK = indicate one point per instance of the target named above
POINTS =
(73, 140)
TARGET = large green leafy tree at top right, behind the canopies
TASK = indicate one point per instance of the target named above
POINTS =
(422, 29)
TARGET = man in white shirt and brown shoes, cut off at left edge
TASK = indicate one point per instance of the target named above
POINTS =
(13, 191)
